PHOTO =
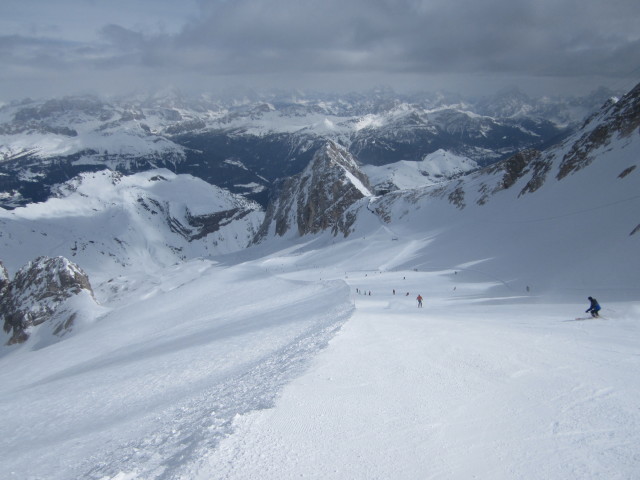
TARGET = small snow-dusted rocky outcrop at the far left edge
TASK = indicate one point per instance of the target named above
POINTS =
(36, 293)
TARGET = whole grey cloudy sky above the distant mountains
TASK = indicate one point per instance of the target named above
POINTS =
(58, 47)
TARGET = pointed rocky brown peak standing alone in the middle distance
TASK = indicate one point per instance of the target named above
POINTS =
(318, 198)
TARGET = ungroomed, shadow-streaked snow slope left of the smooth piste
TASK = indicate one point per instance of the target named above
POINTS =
(155, 384)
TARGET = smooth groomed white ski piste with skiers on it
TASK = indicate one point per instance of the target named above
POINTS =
(467, 387)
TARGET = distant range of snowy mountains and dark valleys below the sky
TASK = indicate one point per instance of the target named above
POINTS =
(247, 146)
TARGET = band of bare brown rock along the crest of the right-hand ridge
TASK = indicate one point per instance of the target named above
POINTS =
(610, 134)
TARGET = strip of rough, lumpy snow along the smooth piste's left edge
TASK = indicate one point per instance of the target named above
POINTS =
(195, 426)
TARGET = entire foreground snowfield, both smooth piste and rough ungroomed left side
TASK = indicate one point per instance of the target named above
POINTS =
(284, 366)
